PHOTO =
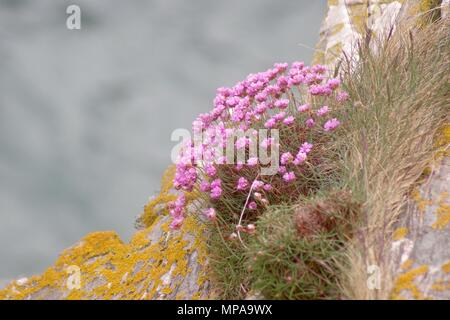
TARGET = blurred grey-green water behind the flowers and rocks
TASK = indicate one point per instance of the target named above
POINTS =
(86, 115)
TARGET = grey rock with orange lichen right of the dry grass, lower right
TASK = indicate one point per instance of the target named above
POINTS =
(423, 258)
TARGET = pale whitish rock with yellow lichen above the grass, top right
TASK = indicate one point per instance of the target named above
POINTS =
(347, 20)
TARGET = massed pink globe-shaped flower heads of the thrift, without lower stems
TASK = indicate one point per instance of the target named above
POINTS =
(291, 96)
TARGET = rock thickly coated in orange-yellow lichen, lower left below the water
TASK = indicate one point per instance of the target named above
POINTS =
(146, 268)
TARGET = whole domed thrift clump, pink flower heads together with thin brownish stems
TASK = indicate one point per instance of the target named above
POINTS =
(291, 106)
